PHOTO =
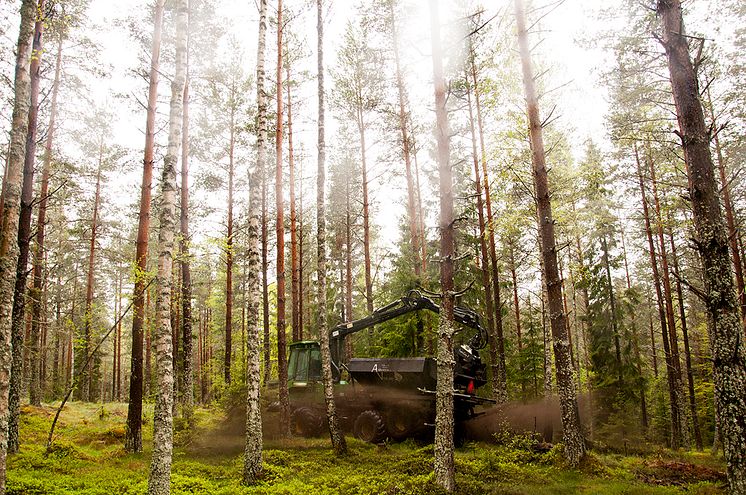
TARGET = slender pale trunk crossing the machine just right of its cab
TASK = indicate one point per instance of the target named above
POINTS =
(335, 431)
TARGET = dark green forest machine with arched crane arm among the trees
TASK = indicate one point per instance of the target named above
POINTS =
(384, 397)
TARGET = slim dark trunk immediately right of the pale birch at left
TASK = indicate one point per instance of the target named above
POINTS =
(187, 391)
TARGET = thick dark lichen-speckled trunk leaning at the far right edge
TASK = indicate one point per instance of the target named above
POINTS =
(724, 322)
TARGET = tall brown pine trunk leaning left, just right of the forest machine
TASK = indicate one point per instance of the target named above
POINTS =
(574, 443)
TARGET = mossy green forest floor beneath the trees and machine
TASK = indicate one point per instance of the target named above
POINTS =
(88, 458)
